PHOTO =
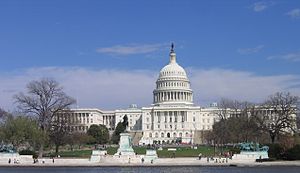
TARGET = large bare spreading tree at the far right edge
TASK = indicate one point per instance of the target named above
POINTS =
(278, 114)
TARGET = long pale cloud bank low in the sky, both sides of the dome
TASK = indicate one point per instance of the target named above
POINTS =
(115, 89)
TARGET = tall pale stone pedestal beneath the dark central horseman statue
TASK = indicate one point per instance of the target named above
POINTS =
(125, 145)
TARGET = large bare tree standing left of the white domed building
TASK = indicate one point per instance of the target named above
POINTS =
(44, 99)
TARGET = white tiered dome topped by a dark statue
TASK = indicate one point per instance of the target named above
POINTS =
(172, 85)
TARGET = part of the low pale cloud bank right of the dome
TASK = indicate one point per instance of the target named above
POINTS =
(212, 84)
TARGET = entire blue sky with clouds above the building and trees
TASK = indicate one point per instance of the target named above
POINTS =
(108, 54)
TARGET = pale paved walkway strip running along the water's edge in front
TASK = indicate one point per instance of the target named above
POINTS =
(113, 161)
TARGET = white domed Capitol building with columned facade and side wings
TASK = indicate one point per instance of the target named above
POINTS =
(172, 117)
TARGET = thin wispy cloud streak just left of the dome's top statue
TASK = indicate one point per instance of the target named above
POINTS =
(131, 49)
